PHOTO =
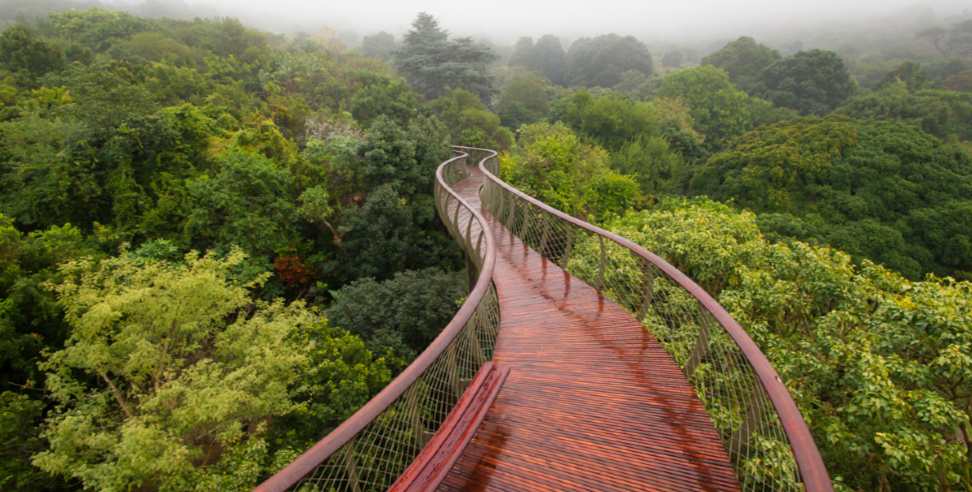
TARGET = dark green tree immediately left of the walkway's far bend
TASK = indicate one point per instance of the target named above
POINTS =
(387, 214)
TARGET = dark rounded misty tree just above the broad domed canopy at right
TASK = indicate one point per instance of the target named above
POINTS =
(811, 82)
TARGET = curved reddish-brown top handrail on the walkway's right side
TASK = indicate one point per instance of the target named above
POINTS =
(812, 470)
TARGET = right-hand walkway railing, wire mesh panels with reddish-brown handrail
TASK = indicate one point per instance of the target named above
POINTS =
(762, 429)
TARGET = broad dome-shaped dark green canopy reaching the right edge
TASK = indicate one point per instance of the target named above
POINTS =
(881, 190)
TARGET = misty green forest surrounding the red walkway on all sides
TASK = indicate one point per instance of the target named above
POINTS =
(220, 235)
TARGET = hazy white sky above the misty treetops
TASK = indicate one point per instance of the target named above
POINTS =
(507, 18)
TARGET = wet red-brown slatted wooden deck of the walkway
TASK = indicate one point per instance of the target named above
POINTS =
(592, 400)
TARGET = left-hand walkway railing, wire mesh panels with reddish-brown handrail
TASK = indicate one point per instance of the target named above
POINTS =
(371, 449)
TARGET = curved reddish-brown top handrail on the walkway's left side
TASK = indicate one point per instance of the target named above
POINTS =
(324, 449)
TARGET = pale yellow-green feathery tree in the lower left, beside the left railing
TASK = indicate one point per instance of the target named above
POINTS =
(181, 392)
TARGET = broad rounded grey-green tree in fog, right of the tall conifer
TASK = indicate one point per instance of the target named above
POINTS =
(600, 61)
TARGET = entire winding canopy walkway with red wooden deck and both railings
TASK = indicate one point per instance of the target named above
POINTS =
(578, 361)
